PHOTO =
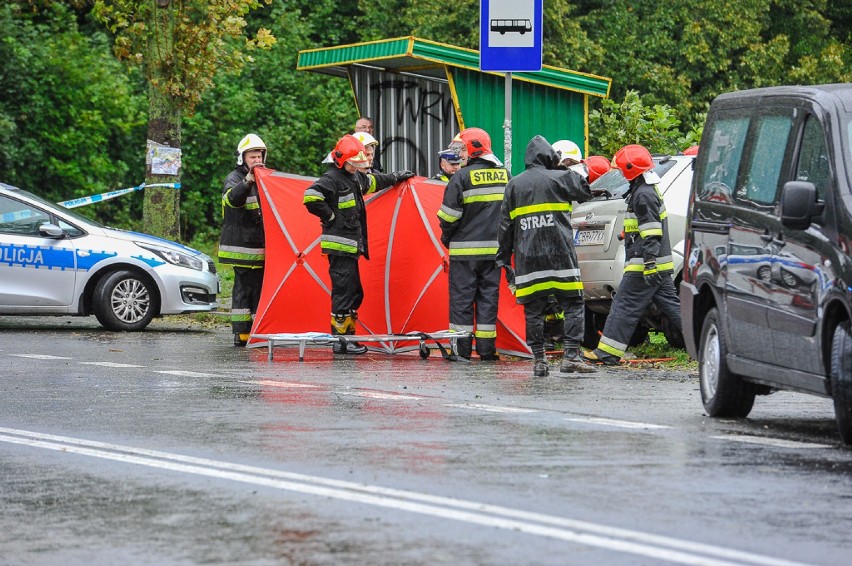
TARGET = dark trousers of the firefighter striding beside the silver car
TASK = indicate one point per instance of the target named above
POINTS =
(631, 301)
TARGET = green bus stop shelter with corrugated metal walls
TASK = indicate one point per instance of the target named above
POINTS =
(420, 94)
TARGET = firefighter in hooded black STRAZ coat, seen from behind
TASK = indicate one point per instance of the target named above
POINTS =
(535, 227)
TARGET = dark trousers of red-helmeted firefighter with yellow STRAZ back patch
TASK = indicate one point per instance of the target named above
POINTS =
(474, 291)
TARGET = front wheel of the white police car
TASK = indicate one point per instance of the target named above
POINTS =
(124, 300)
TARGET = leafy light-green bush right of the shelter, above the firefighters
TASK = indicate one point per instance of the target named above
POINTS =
(654, 126)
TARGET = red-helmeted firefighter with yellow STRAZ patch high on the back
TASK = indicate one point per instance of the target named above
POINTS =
(469, 218)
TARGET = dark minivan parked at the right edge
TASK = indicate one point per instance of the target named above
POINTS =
(766, 296)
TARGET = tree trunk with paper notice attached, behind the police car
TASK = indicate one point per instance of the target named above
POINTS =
(161, 209)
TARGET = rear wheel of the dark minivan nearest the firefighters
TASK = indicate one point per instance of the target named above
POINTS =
(724, 394)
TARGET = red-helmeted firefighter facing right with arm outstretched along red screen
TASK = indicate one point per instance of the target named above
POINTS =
(337, 199)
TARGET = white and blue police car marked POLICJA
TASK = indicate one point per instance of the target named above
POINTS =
(54, 261)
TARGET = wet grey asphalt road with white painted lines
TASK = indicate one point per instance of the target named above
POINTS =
(173, 447)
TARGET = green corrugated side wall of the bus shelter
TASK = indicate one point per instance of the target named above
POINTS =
(536, 109)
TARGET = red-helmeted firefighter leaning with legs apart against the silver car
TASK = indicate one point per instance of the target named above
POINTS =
(648, 258)
